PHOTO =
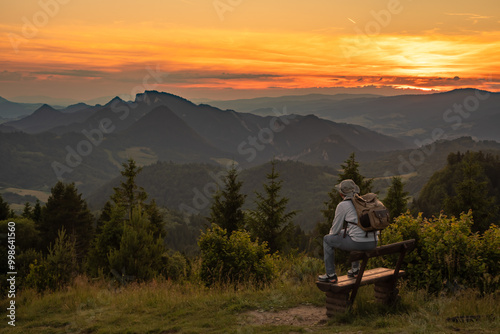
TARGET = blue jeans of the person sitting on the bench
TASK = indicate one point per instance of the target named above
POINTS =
(331, 241)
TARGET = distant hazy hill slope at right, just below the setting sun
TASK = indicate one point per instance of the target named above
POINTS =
(461, 112)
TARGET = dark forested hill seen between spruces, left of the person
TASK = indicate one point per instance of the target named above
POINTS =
(189, 187)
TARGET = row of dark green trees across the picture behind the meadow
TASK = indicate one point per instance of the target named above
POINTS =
(128, 240)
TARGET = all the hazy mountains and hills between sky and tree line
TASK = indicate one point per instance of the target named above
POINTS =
(86, 144)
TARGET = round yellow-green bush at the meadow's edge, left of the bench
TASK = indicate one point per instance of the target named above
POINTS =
(233, 259)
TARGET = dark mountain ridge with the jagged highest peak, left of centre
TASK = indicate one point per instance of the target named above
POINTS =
(176, 129)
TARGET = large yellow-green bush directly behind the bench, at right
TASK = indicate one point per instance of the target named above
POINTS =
(448, 255)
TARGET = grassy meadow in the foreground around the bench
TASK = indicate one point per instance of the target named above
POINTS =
(188, 307)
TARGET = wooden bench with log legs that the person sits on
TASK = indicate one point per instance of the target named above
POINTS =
(340, 296)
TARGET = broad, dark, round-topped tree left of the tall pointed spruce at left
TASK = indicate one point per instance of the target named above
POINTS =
(66, 209)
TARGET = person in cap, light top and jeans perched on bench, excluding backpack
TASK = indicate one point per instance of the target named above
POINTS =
(345, 234)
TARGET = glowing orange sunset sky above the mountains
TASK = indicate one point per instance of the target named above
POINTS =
(244, 48)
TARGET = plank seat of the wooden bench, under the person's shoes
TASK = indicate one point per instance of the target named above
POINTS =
(369, 277)
